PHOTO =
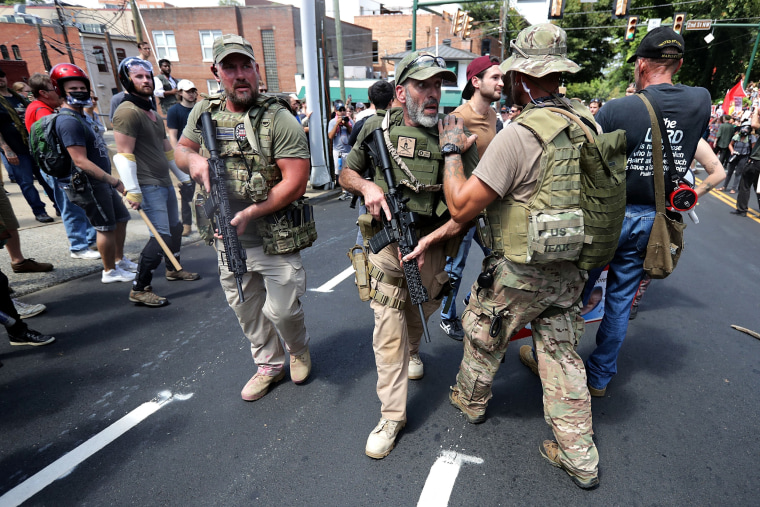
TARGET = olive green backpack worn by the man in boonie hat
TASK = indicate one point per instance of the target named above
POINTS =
(602, 161)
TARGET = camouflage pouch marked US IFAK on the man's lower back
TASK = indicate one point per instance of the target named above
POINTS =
(554, 235)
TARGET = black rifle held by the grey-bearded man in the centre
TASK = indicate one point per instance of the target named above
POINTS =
(401, 228)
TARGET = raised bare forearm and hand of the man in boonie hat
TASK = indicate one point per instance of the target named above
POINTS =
(466, 198)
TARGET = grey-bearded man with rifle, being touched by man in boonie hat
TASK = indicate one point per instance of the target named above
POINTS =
(417, 165)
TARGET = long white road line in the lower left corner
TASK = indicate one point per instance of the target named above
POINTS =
(66, 463)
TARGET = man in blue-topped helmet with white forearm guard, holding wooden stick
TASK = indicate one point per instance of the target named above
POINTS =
(144, 160)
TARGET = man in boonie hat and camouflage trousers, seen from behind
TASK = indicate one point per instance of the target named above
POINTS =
(529, 184)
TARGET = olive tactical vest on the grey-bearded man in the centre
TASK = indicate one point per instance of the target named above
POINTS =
(421, 153)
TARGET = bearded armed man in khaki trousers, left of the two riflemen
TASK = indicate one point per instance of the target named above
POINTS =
(266, 159)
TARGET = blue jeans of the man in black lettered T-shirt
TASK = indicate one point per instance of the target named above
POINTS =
(623, 278)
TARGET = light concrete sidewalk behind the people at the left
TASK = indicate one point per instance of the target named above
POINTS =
(48, 242)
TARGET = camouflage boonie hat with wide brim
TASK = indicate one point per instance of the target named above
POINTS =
(539, 50)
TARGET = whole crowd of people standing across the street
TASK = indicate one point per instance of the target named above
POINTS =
(513, 160)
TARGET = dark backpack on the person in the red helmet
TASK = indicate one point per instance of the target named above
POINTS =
(45, 146)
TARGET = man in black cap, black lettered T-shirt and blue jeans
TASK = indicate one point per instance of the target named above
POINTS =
(686, 112)
